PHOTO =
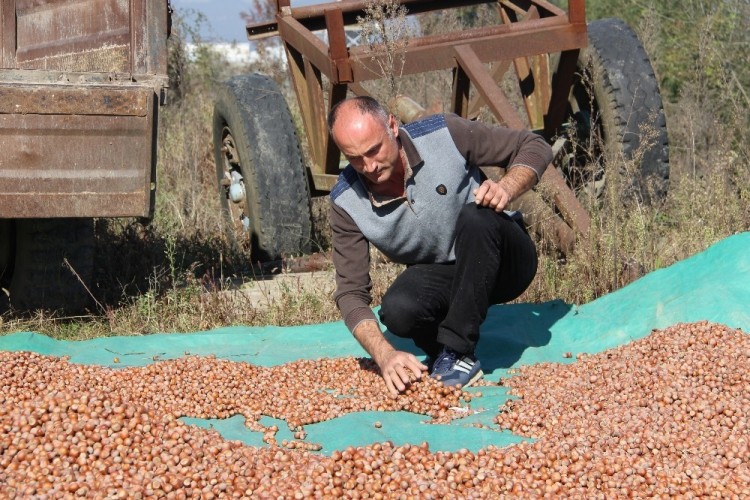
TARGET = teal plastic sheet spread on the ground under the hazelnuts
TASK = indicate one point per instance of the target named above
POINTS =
(713, 285)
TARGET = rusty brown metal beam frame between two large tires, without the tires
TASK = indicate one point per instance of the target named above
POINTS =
(479, 58)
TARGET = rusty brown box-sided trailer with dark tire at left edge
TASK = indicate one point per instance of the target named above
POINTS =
(81, 82)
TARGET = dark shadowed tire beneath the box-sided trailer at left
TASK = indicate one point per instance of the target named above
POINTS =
(47, 264)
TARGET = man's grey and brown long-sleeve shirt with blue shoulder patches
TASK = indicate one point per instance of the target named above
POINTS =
(444, 153)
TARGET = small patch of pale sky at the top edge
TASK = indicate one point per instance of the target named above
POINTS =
(223, 17)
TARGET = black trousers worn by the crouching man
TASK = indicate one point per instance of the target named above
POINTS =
(445, 304)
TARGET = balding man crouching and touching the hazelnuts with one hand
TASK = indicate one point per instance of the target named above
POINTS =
(417, 194)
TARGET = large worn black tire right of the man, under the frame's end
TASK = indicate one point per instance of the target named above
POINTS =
(615, 113)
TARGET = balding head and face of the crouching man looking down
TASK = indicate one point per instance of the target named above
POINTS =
(371, 147)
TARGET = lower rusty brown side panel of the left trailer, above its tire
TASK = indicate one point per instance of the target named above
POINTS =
(76, 165)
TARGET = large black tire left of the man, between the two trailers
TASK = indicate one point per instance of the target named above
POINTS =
(254, 137)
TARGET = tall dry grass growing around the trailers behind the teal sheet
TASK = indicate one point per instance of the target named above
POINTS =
(179, 273)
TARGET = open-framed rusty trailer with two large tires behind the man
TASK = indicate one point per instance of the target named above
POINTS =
(587, 88)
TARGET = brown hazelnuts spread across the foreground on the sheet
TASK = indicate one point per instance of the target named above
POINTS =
(662, 416)
